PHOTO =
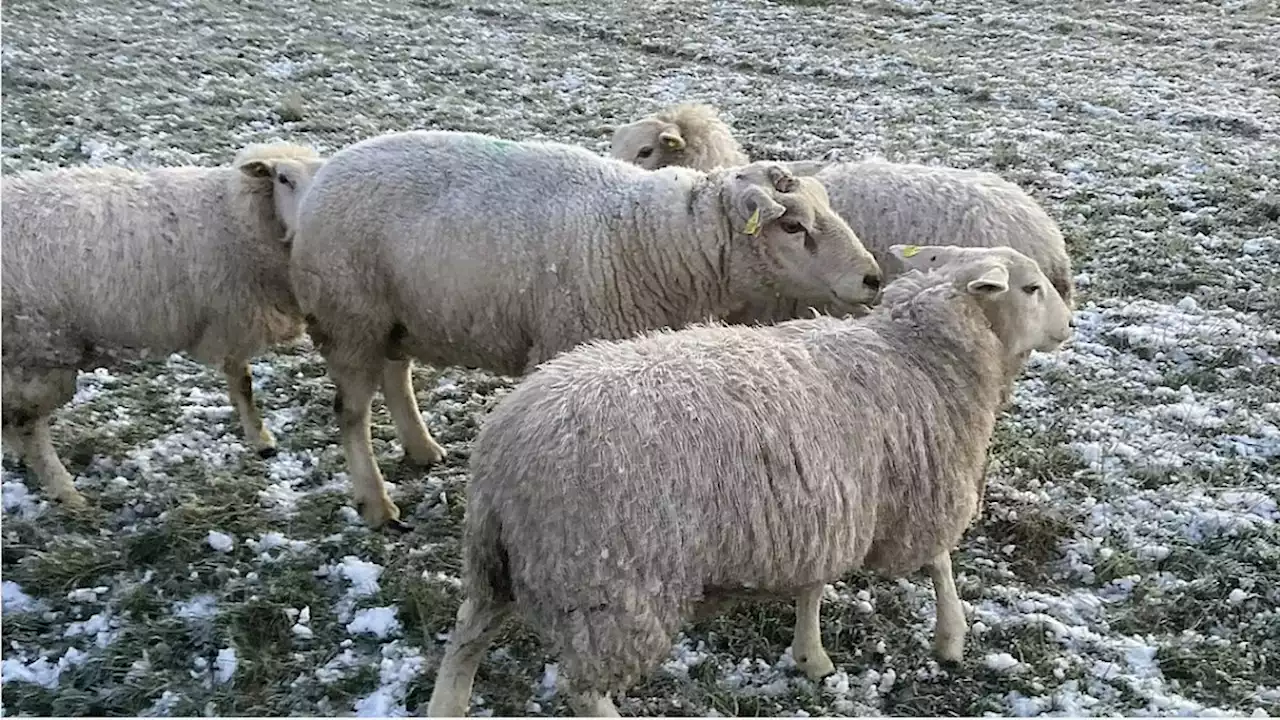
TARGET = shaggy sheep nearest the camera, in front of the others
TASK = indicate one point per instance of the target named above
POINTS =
(624, 487)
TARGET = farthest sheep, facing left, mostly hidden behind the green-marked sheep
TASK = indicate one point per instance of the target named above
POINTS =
(885, 203)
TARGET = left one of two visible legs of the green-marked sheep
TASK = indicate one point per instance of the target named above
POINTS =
(353, 402)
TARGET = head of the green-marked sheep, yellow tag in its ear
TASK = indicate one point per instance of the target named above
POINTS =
(806, 250)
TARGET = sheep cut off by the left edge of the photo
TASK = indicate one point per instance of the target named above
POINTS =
(104, 265)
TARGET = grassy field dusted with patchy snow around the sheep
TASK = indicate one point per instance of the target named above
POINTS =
(1128, 560)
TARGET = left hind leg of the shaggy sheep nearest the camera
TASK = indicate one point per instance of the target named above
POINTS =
(478, 623)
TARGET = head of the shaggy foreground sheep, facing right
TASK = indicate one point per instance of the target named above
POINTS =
(1025, 311)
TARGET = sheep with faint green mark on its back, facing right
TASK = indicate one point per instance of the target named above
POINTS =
(464, 249)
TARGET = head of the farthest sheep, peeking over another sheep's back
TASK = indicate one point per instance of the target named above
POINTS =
(689, 135)
